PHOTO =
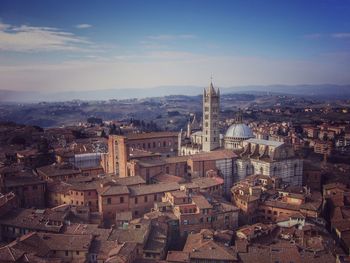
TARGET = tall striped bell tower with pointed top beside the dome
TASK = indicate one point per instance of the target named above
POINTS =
(211, 114)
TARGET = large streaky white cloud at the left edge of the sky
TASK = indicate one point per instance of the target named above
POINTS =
(35, 39)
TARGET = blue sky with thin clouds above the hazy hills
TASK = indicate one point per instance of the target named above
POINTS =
(90, 45)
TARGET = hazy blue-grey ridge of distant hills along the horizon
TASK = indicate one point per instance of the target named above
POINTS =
(326, 91)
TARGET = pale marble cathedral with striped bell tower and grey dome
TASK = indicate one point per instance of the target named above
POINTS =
(254, 156)
